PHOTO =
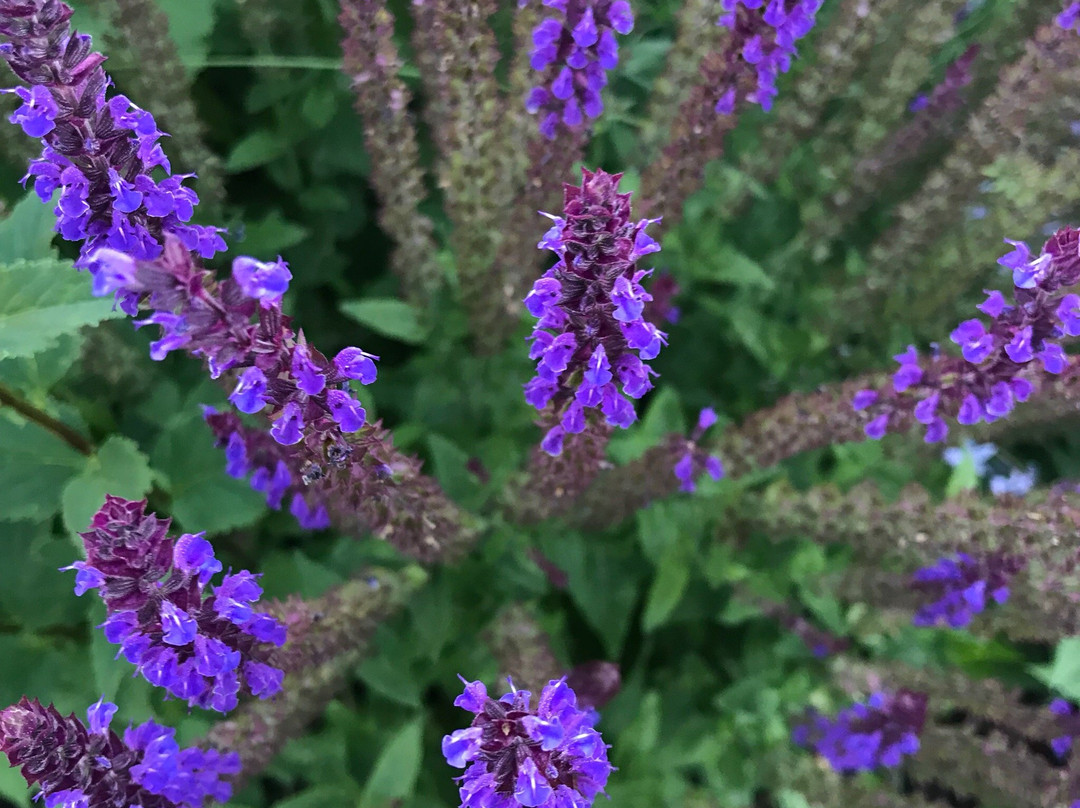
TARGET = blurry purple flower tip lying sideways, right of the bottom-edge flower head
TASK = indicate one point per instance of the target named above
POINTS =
(865, 737)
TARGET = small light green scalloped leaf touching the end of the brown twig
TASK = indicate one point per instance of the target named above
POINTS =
(118, 468)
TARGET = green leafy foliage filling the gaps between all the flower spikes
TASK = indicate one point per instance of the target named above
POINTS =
(710, 682)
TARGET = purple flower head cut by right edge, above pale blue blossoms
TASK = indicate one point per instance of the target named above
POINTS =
(992, 378)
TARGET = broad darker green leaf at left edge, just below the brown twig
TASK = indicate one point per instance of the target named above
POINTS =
(35, 465)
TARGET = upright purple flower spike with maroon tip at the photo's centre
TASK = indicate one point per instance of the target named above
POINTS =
(590, 306)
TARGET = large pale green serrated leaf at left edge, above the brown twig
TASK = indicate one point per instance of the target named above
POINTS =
(42, 301)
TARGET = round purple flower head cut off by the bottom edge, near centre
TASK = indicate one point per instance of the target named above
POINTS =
(515, 756)
